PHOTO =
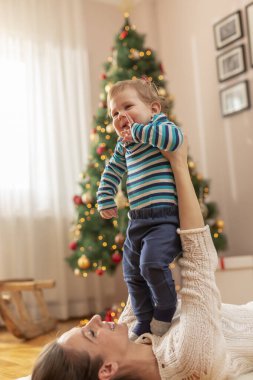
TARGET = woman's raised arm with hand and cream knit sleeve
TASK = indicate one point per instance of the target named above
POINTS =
(200, 323)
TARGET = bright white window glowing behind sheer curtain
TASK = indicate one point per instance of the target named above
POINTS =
(14, 141)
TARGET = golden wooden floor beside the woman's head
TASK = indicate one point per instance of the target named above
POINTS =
(17, 356)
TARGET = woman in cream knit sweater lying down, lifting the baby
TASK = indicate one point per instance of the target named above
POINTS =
(205, 341)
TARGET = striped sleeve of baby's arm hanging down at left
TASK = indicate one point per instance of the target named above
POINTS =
(111, 178)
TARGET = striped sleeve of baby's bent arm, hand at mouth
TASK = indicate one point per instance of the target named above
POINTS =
(160, 133)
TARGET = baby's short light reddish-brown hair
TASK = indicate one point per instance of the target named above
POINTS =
(146, 90)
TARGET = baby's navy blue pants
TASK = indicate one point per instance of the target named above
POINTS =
(151, 245)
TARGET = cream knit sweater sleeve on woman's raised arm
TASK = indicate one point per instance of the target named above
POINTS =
(200, 345)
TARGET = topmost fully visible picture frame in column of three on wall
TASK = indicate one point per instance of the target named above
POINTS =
(228, 30)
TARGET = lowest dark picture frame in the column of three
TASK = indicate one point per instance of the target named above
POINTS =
(235, 98)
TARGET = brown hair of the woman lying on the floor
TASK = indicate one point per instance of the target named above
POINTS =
(58, 363)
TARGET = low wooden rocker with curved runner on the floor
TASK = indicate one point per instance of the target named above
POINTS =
(14, 312)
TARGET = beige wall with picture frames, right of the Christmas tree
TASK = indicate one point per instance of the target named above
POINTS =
(221, 147)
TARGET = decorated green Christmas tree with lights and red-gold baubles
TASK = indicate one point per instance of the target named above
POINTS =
(97, 243)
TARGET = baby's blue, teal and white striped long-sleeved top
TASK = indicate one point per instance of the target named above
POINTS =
(150, 180)
